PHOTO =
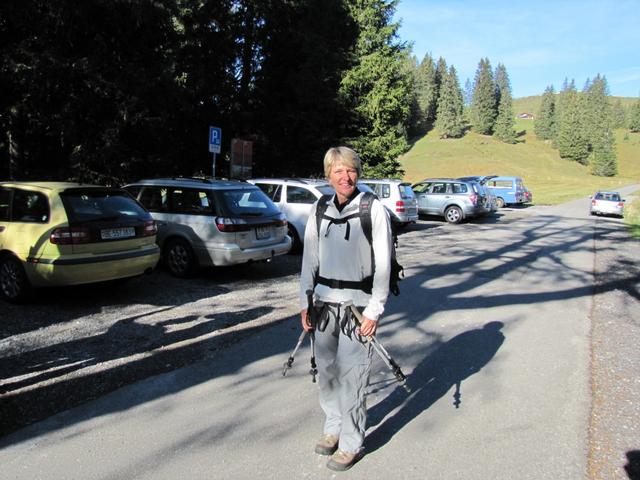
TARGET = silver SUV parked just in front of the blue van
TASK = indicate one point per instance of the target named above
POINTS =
(453, 199)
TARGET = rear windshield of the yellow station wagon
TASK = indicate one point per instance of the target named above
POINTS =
(86, 205)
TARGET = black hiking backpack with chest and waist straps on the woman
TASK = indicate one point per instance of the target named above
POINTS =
(364, 213)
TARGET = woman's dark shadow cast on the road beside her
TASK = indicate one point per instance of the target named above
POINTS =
(449, 365)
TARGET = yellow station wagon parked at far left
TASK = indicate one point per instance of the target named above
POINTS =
(55, 234)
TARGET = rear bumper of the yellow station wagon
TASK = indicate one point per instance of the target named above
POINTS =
(81, 269)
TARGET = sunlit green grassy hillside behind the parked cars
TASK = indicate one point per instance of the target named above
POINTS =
(551, 179)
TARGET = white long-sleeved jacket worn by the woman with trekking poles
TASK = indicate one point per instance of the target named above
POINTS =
(341, 259)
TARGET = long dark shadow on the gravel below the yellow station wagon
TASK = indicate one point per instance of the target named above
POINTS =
(133, 350)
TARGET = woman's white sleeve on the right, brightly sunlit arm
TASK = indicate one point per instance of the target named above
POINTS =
(381, 243)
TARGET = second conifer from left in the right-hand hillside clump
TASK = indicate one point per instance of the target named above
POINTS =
(570, 140)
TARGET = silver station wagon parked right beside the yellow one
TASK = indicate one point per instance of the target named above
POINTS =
(204, 222)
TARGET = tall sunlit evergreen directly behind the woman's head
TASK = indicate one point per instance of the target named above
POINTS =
(377, 89)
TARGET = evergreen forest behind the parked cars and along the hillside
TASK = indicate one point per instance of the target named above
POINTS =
(109, 91)
